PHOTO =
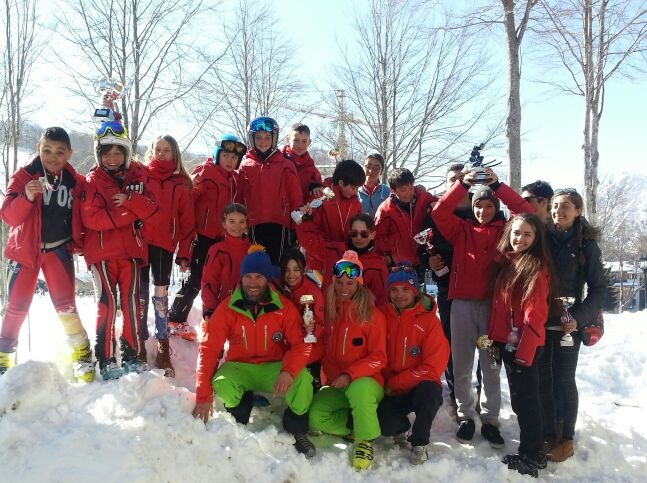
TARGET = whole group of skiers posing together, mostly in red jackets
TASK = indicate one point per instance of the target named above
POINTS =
(313, 289)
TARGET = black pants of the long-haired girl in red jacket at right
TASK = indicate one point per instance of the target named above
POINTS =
(525, 401)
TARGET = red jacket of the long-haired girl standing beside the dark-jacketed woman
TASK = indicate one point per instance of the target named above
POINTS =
(530, 318)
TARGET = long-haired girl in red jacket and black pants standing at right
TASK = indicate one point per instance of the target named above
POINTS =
(519, 312)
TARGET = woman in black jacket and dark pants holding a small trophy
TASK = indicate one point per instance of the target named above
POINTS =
(577, 259)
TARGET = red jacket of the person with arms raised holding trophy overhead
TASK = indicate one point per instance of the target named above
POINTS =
(474, 244)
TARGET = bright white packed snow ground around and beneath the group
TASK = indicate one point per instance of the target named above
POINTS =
(140, 429)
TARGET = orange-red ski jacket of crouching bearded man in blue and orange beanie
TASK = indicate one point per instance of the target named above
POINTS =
(251, 341)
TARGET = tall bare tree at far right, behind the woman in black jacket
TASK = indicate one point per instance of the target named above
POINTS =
(594, 40)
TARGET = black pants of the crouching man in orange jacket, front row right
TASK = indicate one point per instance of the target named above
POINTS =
(424, 400)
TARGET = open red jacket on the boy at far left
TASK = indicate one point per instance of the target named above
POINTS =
(25, 217)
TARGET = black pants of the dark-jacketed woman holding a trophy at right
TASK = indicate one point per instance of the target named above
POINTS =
(558, 389)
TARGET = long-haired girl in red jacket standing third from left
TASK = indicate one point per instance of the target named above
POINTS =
(173, 229)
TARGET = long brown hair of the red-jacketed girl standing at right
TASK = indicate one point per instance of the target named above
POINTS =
(517, 275)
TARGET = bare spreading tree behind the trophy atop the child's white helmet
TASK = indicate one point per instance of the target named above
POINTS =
(146, 43)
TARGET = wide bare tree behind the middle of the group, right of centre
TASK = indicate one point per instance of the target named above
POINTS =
(413, 91)
